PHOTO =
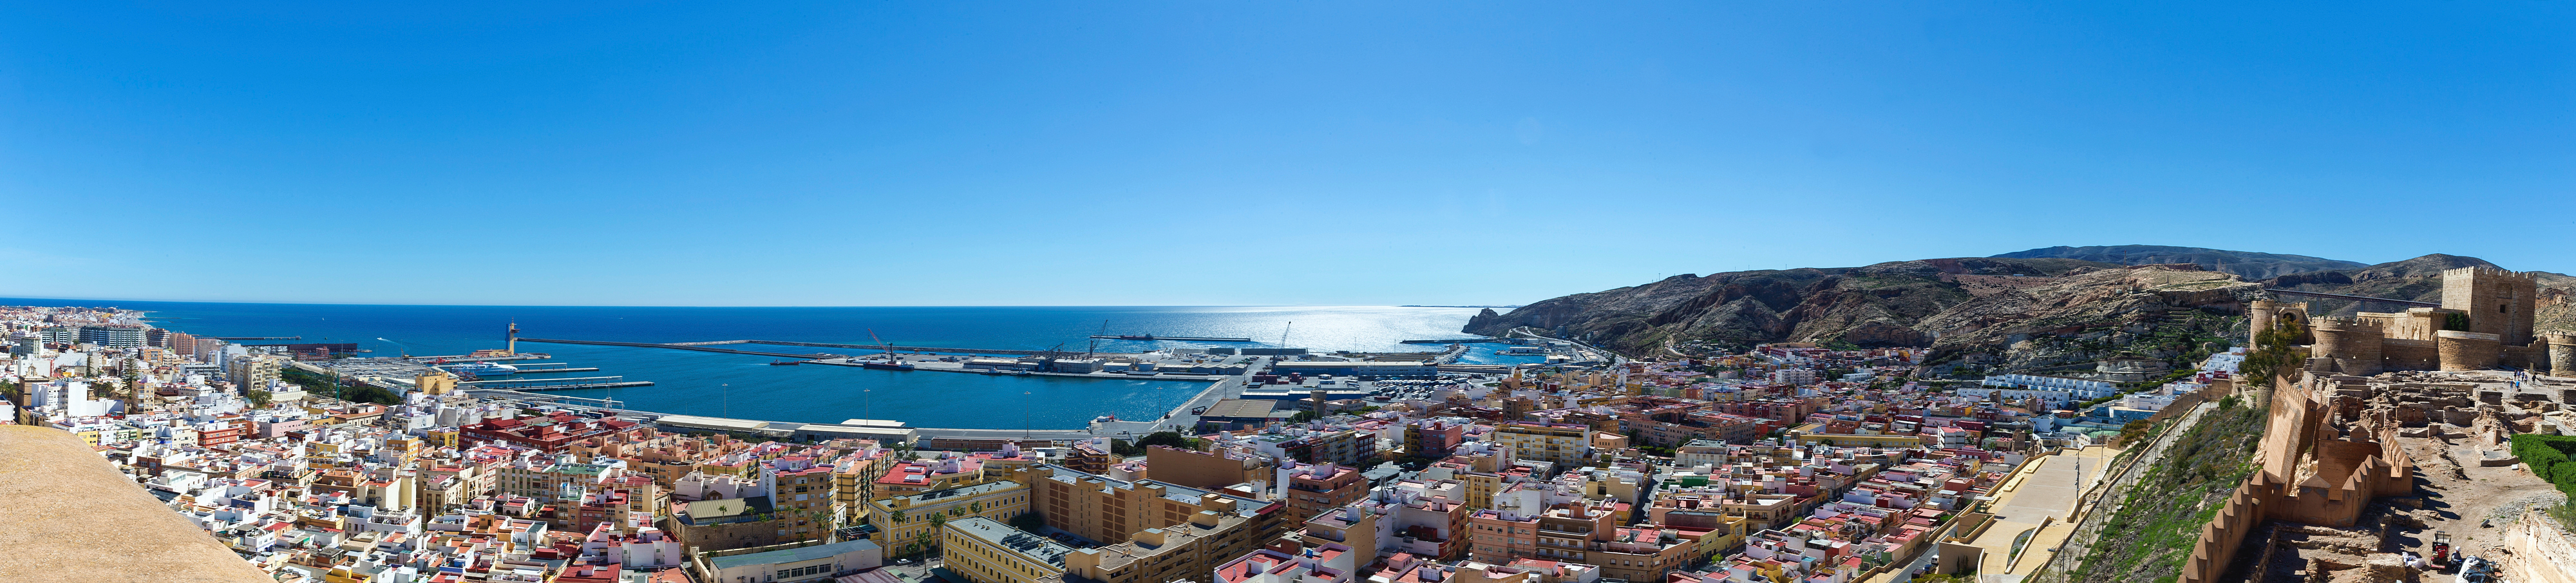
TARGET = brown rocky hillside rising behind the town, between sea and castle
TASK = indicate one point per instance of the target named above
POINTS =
(2013, 313)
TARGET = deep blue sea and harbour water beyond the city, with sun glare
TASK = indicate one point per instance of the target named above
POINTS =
(738, 386)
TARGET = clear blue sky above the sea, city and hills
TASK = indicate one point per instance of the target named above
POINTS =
(1240, 153)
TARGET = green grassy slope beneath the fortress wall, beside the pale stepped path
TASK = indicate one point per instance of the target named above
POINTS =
(2157, 525)
